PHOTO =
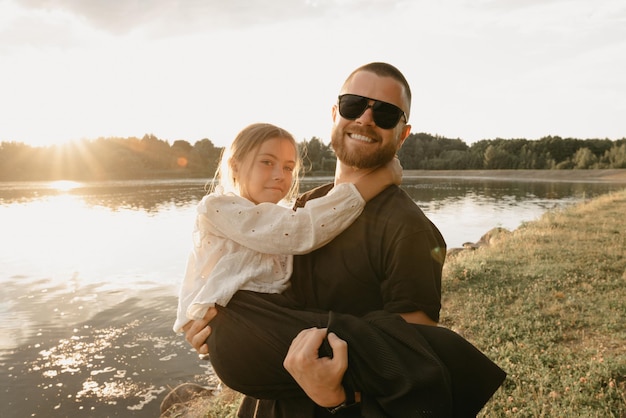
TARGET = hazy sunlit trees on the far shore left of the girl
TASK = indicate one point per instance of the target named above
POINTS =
(109, 158)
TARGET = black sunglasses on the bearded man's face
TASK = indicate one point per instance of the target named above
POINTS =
(386, 115)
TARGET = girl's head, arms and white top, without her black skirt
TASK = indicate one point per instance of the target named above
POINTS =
(243, 240)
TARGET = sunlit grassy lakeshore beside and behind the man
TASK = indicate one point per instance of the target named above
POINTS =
(547, 303)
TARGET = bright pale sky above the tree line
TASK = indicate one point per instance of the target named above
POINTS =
(194, 69)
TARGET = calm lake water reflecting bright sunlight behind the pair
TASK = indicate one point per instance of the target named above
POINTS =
(89, 275)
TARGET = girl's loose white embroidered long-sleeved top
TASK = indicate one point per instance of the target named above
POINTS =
(240, 245)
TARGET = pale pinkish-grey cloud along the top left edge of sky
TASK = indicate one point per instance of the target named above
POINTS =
(47, 24)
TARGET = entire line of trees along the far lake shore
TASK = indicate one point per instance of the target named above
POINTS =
(151, 157)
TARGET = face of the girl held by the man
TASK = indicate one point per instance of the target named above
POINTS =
(266, 175)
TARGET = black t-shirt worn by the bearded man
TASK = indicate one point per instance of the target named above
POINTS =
(390, 258)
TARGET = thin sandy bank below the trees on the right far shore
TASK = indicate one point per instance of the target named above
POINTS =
(611, 175)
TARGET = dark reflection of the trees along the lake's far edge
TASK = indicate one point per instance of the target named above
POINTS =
(151, 196)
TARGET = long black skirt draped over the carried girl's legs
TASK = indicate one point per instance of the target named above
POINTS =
(401, 369)
